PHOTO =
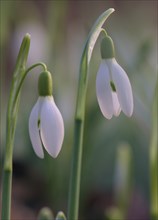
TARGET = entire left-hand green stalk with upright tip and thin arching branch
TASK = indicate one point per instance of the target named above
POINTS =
(19, 75)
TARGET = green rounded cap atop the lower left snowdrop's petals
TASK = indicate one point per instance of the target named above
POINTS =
(45, 84)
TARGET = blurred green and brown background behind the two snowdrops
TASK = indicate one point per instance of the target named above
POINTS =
(58, 32)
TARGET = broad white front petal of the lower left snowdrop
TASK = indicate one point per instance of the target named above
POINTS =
(51, 127)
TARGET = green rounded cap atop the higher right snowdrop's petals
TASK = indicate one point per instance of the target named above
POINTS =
(107, 48)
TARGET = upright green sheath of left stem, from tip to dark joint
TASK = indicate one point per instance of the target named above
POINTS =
(13, 102)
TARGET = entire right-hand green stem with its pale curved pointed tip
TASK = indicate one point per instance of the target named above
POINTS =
(74, 190)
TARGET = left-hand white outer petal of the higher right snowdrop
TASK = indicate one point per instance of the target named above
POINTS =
(103, 90)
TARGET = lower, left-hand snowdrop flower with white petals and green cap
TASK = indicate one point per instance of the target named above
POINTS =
(46, 125)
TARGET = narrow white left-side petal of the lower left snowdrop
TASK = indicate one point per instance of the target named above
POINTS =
(34, 130)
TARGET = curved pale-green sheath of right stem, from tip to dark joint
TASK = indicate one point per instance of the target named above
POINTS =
(85, 60)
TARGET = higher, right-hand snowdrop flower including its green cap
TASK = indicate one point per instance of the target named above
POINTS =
(113, 88)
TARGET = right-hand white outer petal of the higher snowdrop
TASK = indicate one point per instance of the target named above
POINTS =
(123, 88)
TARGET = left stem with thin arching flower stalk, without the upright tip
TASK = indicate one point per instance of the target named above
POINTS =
(10, 133)
